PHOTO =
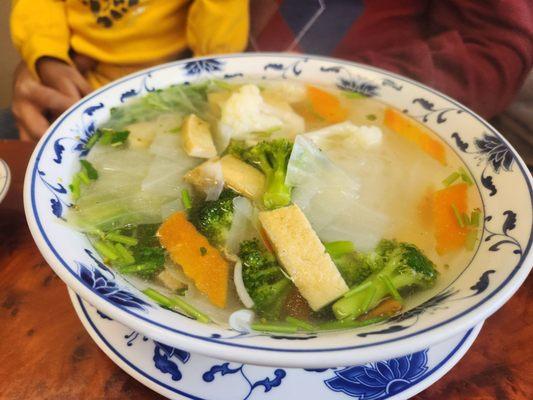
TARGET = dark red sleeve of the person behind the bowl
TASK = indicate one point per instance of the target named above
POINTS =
(477, 51)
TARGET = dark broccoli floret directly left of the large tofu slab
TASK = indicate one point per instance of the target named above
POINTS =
(263, 279)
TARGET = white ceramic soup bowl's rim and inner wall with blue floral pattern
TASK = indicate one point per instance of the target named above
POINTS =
(498, 266)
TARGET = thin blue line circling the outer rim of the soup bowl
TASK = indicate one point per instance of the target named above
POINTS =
(220, 341)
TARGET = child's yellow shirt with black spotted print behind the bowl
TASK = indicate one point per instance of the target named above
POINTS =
(126, 35)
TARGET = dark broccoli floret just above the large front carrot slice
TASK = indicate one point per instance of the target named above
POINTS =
(213, 218)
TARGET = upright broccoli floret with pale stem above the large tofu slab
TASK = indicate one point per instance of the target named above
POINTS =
(271, 158)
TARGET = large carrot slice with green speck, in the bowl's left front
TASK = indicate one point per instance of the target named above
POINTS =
(200, 261)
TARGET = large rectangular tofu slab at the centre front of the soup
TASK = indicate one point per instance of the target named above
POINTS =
(302, 254)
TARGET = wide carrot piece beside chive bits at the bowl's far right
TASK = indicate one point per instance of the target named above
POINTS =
(449, 234)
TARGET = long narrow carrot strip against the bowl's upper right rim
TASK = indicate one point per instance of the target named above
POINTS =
(415, 132)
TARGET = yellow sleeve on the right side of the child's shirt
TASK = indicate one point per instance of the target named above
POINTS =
(217, 26)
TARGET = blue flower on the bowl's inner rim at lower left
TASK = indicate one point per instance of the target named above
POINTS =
(108, 288)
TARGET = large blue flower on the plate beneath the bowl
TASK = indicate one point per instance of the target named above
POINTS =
(380, 380)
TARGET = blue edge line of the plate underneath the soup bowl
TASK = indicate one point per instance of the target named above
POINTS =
(435, 369)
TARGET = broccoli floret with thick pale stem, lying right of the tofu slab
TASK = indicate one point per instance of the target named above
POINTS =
(404, 267)
